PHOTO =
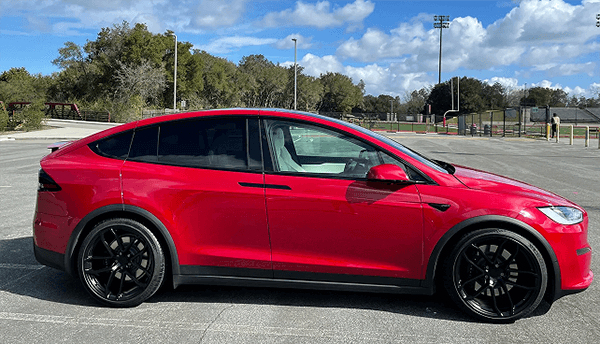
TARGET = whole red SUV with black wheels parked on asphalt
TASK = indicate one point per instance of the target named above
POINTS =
(289, 199)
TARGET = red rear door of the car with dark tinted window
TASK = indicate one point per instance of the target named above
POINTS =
(205, 183)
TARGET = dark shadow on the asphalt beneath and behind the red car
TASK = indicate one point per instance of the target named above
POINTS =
(21, 274)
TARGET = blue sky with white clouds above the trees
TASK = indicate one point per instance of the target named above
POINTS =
(391, 45)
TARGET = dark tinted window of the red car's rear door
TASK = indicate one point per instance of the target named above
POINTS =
(213, 143)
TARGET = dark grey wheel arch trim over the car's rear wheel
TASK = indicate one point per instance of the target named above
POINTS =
(121, 211)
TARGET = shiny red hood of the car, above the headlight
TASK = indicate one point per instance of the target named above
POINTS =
(480, 180)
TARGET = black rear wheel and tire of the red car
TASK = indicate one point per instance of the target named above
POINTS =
(121, 263)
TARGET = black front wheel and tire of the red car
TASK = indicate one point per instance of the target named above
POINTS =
(495, 275)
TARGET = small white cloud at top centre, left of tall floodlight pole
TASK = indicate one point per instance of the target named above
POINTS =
(320, 15)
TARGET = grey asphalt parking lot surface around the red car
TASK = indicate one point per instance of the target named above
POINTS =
(41, 304)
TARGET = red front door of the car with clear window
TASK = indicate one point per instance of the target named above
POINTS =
(326, 221)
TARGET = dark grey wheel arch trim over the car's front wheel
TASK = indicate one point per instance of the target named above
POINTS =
(444, 246)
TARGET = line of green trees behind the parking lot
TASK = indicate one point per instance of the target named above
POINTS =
(127, 69)
